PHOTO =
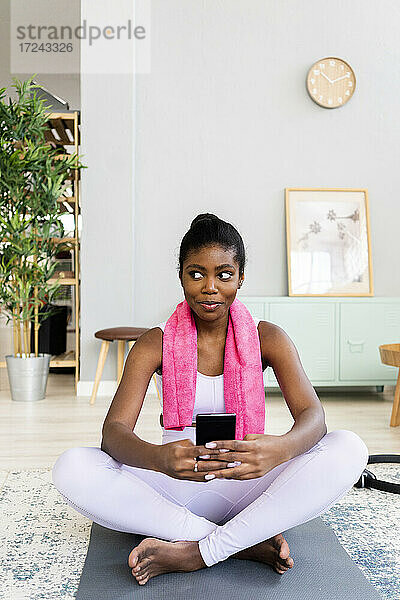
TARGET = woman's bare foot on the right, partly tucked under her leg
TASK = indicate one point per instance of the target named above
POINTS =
(274, 552)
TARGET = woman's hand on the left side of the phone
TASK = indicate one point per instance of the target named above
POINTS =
(178, 460)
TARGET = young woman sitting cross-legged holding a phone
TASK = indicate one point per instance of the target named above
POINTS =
(262, 484)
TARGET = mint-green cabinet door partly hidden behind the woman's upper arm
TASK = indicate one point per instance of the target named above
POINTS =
(311, 326)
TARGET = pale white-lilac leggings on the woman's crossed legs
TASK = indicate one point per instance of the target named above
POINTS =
(223, 515)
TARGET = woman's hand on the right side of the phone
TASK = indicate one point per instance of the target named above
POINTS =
(257, 453)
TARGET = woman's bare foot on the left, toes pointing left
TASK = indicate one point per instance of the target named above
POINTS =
(153, 556)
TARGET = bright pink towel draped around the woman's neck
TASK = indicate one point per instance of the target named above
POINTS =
(243, 376)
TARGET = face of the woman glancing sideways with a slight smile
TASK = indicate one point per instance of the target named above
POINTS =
(210, 275)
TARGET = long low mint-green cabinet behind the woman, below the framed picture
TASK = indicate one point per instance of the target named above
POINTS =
(337, 339)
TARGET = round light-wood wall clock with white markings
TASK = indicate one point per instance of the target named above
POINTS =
(331, 82)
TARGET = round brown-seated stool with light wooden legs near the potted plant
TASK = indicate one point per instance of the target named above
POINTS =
(121, 335)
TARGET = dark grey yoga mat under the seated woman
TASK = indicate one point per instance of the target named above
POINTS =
(322, 571)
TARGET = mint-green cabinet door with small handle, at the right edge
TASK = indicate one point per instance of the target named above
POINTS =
(363, 328)
